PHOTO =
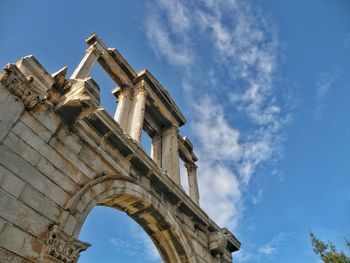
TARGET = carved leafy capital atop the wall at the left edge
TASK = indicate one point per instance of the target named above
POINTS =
(19, 85)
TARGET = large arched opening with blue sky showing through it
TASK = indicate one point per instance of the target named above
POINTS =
(115, 237)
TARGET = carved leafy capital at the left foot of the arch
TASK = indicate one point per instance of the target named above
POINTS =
(61, 248)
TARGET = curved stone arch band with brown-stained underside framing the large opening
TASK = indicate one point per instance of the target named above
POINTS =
(147, 209)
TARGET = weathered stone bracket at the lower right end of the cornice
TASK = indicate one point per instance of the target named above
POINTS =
(221, 244)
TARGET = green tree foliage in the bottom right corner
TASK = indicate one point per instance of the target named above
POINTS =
(328, 252)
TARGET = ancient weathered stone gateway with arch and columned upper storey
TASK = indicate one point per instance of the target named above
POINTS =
(62, 154)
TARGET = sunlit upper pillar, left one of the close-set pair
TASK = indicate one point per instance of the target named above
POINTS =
(123, 108)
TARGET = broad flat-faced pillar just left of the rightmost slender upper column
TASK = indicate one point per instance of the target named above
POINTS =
(170, 154)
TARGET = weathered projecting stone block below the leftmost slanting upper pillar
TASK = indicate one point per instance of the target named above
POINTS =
(81, 100)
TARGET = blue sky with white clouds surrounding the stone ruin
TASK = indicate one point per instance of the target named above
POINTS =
(265, 89)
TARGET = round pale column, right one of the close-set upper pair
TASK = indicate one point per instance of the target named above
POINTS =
(138, 113)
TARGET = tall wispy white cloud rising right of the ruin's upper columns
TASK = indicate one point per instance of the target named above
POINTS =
(229, 52)
